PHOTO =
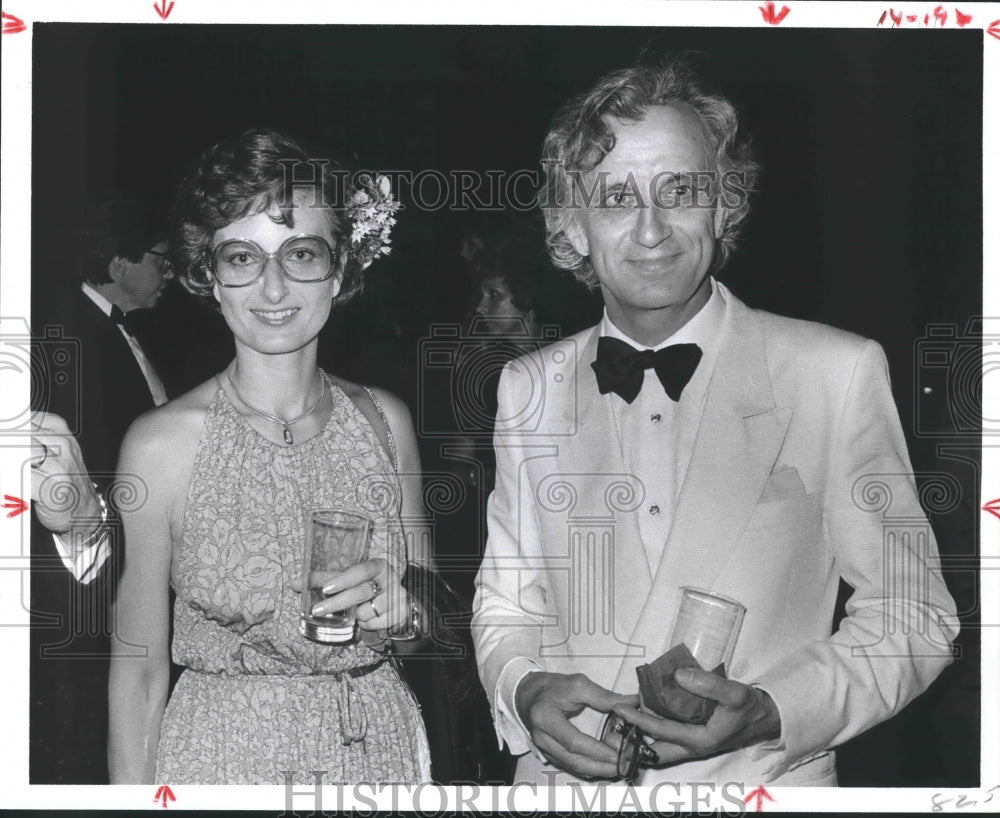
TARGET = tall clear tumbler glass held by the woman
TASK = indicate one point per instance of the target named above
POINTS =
(335, 540)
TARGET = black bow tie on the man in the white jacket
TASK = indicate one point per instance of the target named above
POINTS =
(620, 368)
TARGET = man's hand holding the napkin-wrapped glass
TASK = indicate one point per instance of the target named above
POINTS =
(744, 716)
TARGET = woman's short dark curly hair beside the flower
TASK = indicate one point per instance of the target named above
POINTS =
(248, 174)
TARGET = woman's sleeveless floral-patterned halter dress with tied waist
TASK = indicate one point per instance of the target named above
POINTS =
(258, 703)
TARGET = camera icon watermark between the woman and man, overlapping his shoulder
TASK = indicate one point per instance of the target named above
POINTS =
(459, 372)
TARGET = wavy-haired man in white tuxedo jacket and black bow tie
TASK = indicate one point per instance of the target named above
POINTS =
(760, 458)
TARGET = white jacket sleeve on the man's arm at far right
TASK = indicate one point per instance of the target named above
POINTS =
(896, 637)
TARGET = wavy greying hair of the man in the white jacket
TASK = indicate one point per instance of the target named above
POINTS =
(581, 137)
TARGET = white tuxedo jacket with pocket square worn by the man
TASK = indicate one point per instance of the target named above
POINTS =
(799, 476)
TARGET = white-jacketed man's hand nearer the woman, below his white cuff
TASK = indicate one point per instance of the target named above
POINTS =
(546, 701)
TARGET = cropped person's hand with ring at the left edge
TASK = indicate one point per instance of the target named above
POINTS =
(62, 494)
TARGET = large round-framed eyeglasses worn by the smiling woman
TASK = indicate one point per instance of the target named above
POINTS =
(240, 262)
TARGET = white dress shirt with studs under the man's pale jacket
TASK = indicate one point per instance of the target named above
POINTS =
(656, 436)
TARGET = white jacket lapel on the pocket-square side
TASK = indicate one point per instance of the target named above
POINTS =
(739, 437)
